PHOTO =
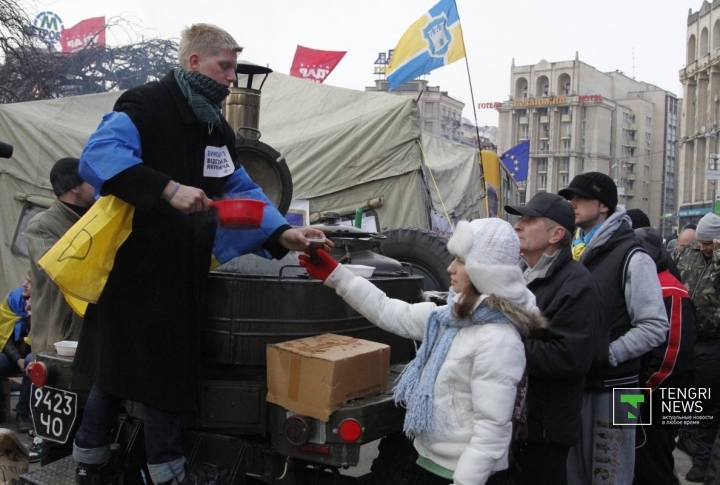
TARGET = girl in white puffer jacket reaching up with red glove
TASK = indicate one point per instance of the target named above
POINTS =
(460, 389)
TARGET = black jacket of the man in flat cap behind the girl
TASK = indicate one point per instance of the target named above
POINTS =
(559, 356)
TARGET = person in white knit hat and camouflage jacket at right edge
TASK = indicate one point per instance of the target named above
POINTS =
(699, 265)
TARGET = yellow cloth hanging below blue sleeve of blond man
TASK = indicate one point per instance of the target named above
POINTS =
(80, 262)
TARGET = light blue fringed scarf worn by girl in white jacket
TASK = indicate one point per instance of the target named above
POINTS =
(417, 382)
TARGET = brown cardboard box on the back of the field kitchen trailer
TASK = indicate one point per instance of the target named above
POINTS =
(314, 376)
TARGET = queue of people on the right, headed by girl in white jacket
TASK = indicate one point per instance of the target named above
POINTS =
(598, 304)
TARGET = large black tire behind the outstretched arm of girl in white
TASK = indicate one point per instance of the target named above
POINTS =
(425, 250)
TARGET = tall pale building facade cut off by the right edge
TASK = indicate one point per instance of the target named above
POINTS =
(698, 144)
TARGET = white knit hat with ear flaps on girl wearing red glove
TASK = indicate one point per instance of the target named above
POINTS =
(491, 250)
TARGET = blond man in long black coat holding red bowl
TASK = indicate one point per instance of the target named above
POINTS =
(166, 150)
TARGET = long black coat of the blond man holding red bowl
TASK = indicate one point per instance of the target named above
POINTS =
(140, 340)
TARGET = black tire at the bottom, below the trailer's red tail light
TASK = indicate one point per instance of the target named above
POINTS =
(395, 463)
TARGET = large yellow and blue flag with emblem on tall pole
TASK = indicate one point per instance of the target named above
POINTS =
(433, 41)
